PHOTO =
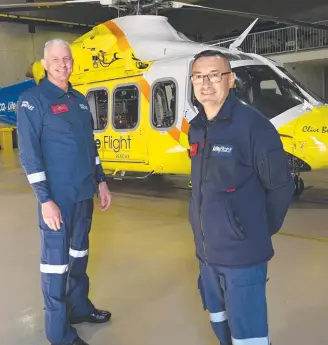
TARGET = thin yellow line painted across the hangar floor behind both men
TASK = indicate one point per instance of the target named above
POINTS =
(152, 211)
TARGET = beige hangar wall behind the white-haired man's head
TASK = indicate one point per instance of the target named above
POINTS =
(19, 48)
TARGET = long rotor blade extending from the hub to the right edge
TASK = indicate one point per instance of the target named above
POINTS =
(182, 5)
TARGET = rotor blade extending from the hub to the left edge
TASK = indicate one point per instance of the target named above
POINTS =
(44, 5)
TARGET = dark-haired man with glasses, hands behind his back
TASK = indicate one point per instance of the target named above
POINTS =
(241, 191)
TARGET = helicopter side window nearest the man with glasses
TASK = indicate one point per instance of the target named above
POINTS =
(164, 104)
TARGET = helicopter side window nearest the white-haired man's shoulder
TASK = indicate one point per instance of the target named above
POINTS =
(98, 102)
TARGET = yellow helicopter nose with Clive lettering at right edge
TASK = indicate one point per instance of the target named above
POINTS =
(311, 138)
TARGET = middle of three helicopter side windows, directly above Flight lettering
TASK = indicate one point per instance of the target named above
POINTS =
(126, 107)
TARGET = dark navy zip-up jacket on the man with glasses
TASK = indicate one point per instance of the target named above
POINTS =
(241, 185)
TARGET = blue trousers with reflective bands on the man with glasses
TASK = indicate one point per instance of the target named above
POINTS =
(236, 301)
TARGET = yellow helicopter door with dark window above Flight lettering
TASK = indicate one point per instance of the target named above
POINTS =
(124, 142)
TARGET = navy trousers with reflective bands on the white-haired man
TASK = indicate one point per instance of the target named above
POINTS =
(64, 259)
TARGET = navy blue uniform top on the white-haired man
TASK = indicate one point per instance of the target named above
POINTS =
(56, 143)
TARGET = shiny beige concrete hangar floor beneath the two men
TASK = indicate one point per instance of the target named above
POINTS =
(142, 267)
